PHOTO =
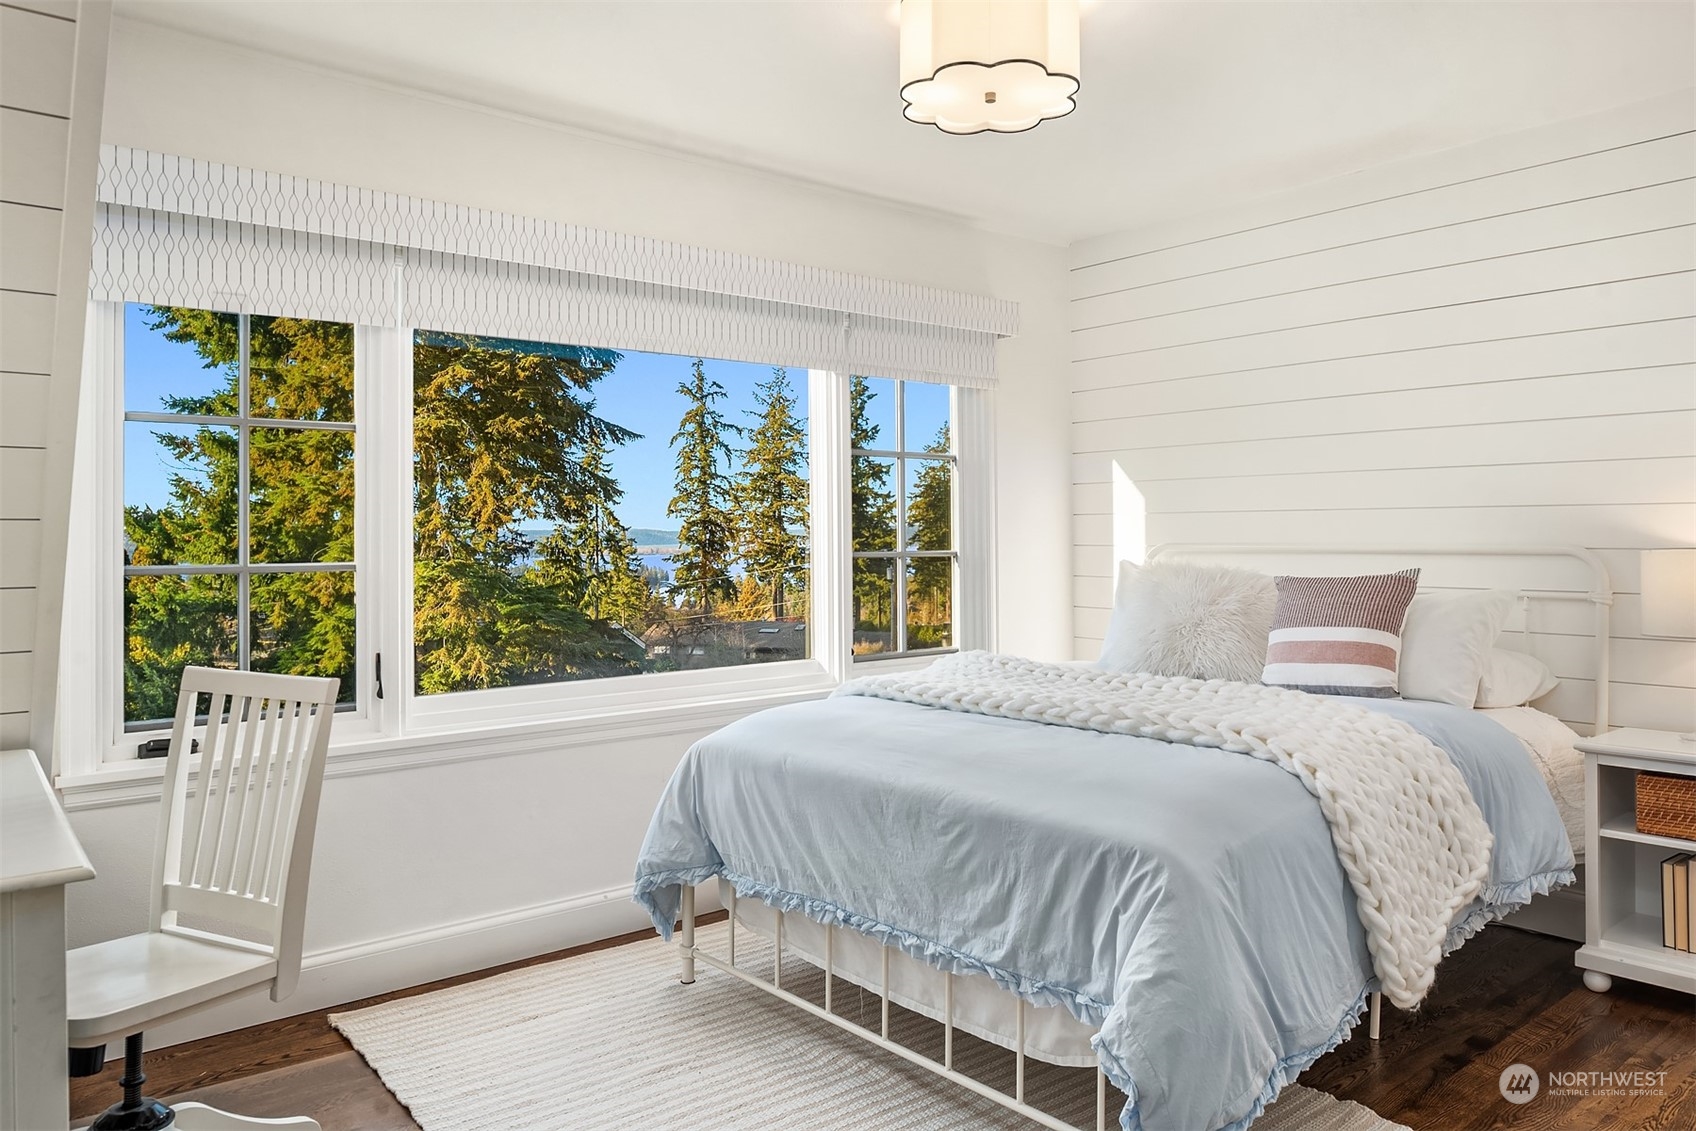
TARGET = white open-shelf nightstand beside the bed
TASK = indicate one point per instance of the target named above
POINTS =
(1622, 867)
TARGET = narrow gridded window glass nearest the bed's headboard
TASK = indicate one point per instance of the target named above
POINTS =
(905, 555)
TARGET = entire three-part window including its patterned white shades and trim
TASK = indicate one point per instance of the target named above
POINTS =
(520, 484)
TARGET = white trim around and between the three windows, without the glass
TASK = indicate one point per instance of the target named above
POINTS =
(399, 730)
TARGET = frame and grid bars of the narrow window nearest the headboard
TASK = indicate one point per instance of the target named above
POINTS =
(901, 555)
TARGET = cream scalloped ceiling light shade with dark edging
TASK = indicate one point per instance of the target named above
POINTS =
(969, 67)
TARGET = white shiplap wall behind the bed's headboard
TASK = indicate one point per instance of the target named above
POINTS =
(1490, 345)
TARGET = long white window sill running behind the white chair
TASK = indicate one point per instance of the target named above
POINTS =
(140, 781)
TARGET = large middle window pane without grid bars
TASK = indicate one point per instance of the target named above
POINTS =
(583, 513)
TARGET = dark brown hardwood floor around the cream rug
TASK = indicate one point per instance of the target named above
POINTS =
(1507, 998)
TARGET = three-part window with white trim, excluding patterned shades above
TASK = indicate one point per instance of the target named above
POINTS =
(476, 532)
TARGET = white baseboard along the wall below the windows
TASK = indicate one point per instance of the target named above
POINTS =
(347, 974)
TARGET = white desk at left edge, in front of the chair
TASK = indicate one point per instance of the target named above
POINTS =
(38, 857)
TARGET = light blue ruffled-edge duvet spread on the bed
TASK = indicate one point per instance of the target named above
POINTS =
(1188, 901)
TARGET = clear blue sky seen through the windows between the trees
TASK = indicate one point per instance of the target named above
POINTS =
(640, 394)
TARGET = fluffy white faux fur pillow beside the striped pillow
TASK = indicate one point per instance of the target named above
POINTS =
(1197, 621)
